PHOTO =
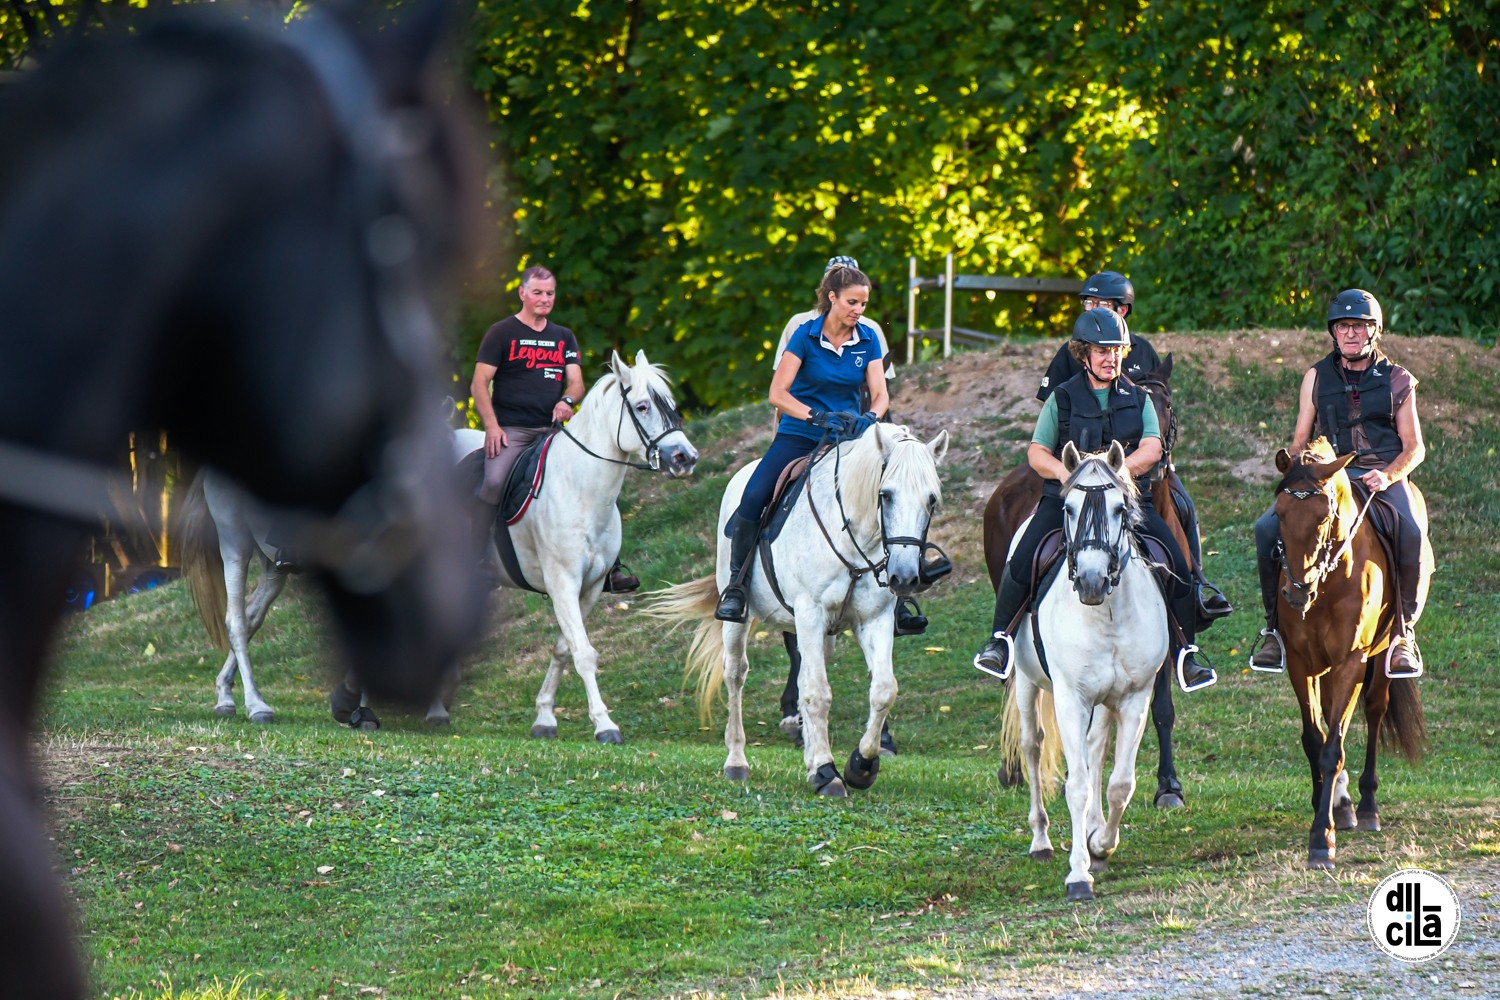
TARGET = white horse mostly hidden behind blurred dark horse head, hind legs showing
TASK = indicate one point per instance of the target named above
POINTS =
(223, 533)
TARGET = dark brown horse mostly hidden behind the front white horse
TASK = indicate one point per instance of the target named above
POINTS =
(1015, 500)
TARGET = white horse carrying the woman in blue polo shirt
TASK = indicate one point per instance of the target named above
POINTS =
(850, 548)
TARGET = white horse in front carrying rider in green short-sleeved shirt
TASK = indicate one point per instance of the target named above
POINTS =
(1105, 636)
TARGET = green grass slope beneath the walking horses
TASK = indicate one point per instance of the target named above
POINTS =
(325, 863)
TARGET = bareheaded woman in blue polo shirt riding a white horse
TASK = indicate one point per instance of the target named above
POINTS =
(817, 389)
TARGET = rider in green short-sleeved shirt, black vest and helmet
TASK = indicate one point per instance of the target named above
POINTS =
(1093, 410)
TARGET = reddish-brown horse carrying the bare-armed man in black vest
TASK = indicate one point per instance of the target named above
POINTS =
(1337, 606)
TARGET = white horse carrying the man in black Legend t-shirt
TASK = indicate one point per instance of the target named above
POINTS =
(569, 537)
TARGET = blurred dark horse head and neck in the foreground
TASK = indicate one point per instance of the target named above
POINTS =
(229, 230)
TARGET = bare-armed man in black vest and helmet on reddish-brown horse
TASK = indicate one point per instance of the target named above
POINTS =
(1361, 401)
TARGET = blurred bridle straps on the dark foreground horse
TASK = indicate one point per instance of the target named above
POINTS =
(373, 537)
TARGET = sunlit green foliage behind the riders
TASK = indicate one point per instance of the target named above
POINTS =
(688, 167)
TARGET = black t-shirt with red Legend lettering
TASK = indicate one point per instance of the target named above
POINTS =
(530, 370)
